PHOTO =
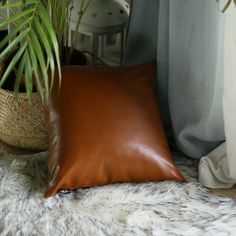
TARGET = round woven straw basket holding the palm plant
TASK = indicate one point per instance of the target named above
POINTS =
(22, 124)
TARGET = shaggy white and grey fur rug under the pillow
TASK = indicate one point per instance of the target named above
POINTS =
(156, 208)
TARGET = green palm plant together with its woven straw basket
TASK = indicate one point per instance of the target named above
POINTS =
(37, 43)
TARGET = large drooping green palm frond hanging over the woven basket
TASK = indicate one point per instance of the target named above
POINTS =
(35, 42)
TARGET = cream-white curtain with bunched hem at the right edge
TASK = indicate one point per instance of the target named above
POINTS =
(218, 168)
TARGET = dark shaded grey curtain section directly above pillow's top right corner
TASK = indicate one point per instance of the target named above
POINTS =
(141, 40)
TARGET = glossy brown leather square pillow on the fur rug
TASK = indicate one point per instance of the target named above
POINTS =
(105, 127)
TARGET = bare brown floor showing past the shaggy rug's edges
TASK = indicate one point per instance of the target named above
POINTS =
(220, 192)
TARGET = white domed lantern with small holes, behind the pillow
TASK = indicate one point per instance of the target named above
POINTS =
(102, 19)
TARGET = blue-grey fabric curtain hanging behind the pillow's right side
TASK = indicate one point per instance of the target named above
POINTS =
(186, 38)
